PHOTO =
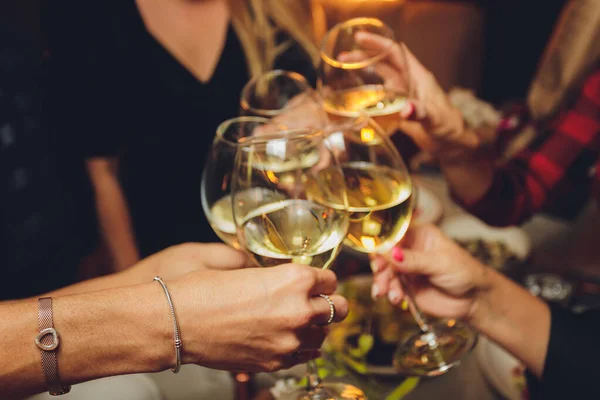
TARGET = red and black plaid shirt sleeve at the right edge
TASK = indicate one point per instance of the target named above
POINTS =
(563, 161)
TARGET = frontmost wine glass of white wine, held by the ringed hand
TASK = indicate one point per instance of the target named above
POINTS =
(296, 213)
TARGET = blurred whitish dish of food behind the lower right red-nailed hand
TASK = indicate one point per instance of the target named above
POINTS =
(498, 248)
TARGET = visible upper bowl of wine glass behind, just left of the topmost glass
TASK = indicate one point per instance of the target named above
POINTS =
(285, 96)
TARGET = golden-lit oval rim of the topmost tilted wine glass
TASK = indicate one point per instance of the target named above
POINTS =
(329, 59)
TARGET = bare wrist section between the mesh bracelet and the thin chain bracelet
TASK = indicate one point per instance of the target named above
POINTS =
(114, 332)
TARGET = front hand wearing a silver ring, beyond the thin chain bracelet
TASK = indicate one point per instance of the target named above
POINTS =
(254, 319)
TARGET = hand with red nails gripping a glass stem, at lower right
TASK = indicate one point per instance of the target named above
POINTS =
(445, 279)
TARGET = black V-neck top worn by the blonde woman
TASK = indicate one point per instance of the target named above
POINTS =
(121, 93)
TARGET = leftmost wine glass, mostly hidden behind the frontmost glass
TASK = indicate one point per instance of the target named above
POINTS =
(216, 177)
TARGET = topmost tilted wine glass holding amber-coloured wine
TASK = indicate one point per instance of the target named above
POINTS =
(357, 78)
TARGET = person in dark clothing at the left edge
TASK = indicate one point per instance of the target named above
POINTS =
(41, 236)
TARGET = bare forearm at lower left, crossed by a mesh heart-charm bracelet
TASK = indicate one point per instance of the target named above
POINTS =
(102, 334)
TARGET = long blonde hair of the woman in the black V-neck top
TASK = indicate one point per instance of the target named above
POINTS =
(257, 24)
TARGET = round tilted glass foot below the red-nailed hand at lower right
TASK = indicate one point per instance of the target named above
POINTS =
(435, 352)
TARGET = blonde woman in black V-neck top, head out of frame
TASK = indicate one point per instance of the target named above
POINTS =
(141, 86)
